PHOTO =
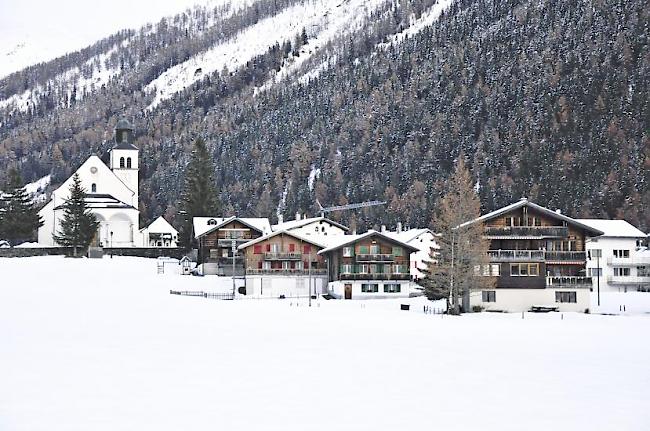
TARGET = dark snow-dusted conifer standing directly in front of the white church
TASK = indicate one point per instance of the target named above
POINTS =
(79, 225)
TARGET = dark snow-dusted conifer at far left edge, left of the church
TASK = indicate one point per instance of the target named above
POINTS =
(19, 217)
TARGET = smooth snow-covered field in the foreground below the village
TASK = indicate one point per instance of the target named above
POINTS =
(102, 345)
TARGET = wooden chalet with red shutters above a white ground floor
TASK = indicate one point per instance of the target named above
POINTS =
(284, 263)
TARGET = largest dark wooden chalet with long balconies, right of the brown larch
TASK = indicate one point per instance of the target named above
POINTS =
(538, 258)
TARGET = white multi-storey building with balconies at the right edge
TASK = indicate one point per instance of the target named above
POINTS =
(616, 260)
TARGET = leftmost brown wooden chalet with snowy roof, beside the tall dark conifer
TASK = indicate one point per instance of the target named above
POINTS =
(218, 239)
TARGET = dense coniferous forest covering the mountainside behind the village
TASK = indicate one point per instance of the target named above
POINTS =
(548, 100)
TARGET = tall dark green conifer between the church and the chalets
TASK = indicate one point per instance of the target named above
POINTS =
(199, 196)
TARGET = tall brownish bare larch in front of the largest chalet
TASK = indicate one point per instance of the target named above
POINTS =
(463, 248)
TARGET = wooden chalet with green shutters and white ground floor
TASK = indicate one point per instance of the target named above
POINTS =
(371, 265)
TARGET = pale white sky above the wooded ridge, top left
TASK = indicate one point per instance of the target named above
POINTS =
(39, 30)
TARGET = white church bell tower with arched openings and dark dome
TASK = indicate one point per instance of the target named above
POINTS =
(124, 158)
